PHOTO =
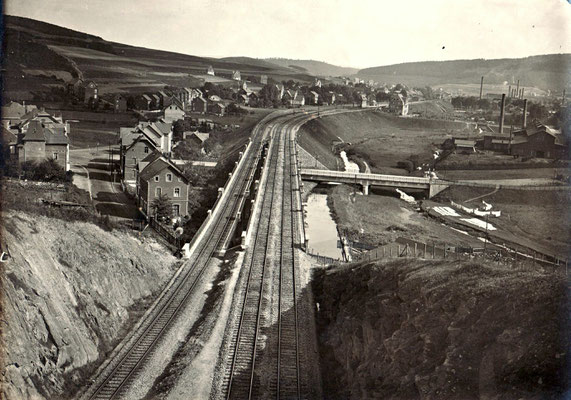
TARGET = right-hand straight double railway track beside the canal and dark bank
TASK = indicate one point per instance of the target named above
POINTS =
(255, 337)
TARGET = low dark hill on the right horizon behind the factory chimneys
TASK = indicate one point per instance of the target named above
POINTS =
(545, 71)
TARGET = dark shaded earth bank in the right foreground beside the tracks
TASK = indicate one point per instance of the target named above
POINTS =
(427, 330)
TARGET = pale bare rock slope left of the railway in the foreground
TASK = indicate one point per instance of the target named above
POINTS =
(69, 290)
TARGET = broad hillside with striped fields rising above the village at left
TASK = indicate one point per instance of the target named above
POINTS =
(41, 57)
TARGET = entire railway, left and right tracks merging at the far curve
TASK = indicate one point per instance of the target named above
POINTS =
(272, 242)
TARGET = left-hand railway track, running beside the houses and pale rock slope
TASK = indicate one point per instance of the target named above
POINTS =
(115, 378)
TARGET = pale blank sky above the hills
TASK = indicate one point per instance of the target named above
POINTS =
(357, 33)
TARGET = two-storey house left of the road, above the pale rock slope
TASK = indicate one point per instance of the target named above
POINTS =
(39, 142)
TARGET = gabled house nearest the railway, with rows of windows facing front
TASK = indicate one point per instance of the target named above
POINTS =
(160, 177)
